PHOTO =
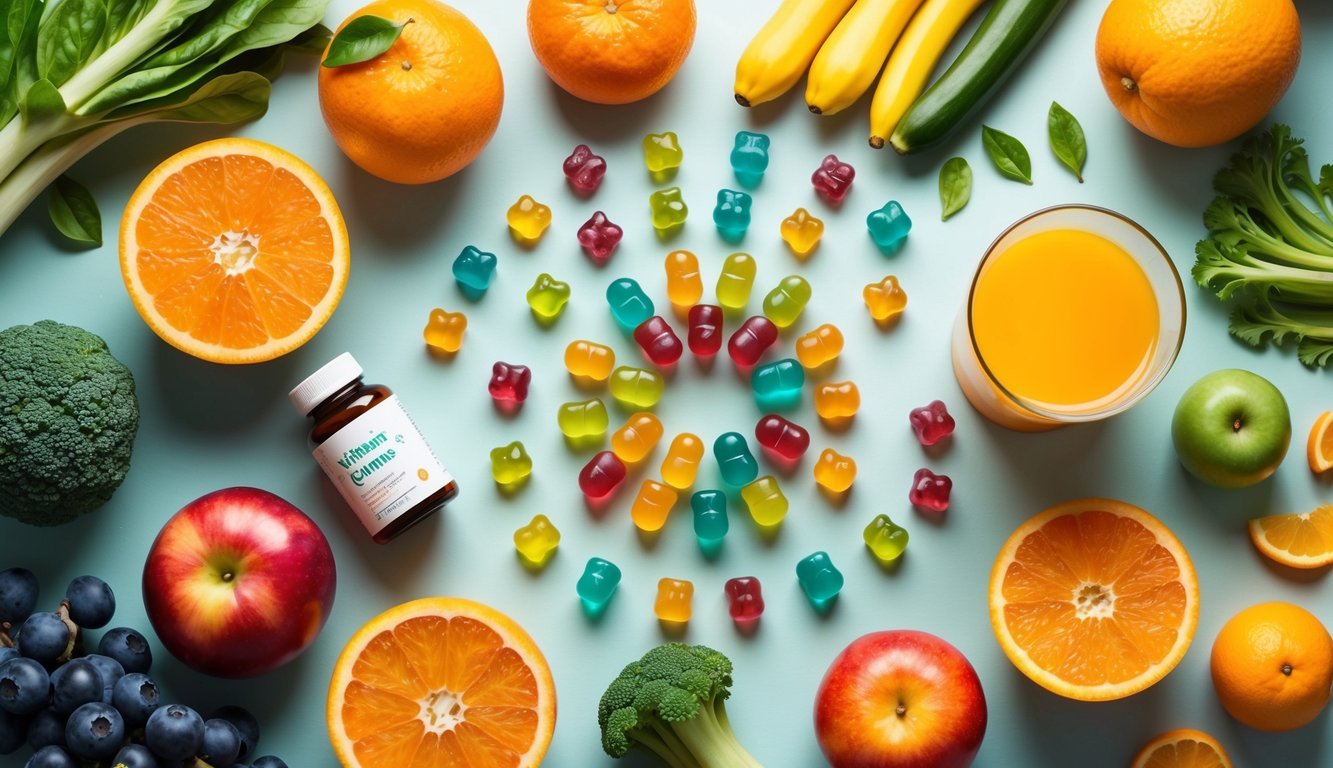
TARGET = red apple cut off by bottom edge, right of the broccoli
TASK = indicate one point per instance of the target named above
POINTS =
(900, 699)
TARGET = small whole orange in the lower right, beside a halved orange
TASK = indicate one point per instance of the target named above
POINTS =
(1274, 666)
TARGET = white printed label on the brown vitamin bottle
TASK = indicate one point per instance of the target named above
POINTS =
(382, 465)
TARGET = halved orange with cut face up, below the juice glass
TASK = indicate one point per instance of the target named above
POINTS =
(1094, 599)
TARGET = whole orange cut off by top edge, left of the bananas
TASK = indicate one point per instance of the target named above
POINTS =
(611, 51)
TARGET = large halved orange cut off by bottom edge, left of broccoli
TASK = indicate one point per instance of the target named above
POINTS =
(442, 683)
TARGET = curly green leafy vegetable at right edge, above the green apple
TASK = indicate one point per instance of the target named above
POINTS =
(1270, 247)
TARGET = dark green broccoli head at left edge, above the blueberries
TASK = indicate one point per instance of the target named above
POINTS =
(69, 418)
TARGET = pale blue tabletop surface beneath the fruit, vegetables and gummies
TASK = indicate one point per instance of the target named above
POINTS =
(206, 427)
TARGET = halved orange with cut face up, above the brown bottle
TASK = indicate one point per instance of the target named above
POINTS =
(234, 251)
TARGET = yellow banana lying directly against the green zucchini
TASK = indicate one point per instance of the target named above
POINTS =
(914, 59)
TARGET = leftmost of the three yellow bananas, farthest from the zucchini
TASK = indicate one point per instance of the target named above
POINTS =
(784, 47)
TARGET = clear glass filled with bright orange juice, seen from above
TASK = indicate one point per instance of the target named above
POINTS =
(1075, 315)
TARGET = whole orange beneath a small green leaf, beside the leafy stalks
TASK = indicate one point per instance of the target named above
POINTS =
(426, 107)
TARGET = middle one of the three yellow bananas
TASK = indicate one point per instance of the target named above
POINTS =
(855, 53)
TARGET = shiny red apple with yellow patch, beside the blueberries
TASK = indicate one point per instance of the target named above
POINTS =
(239, 582)
